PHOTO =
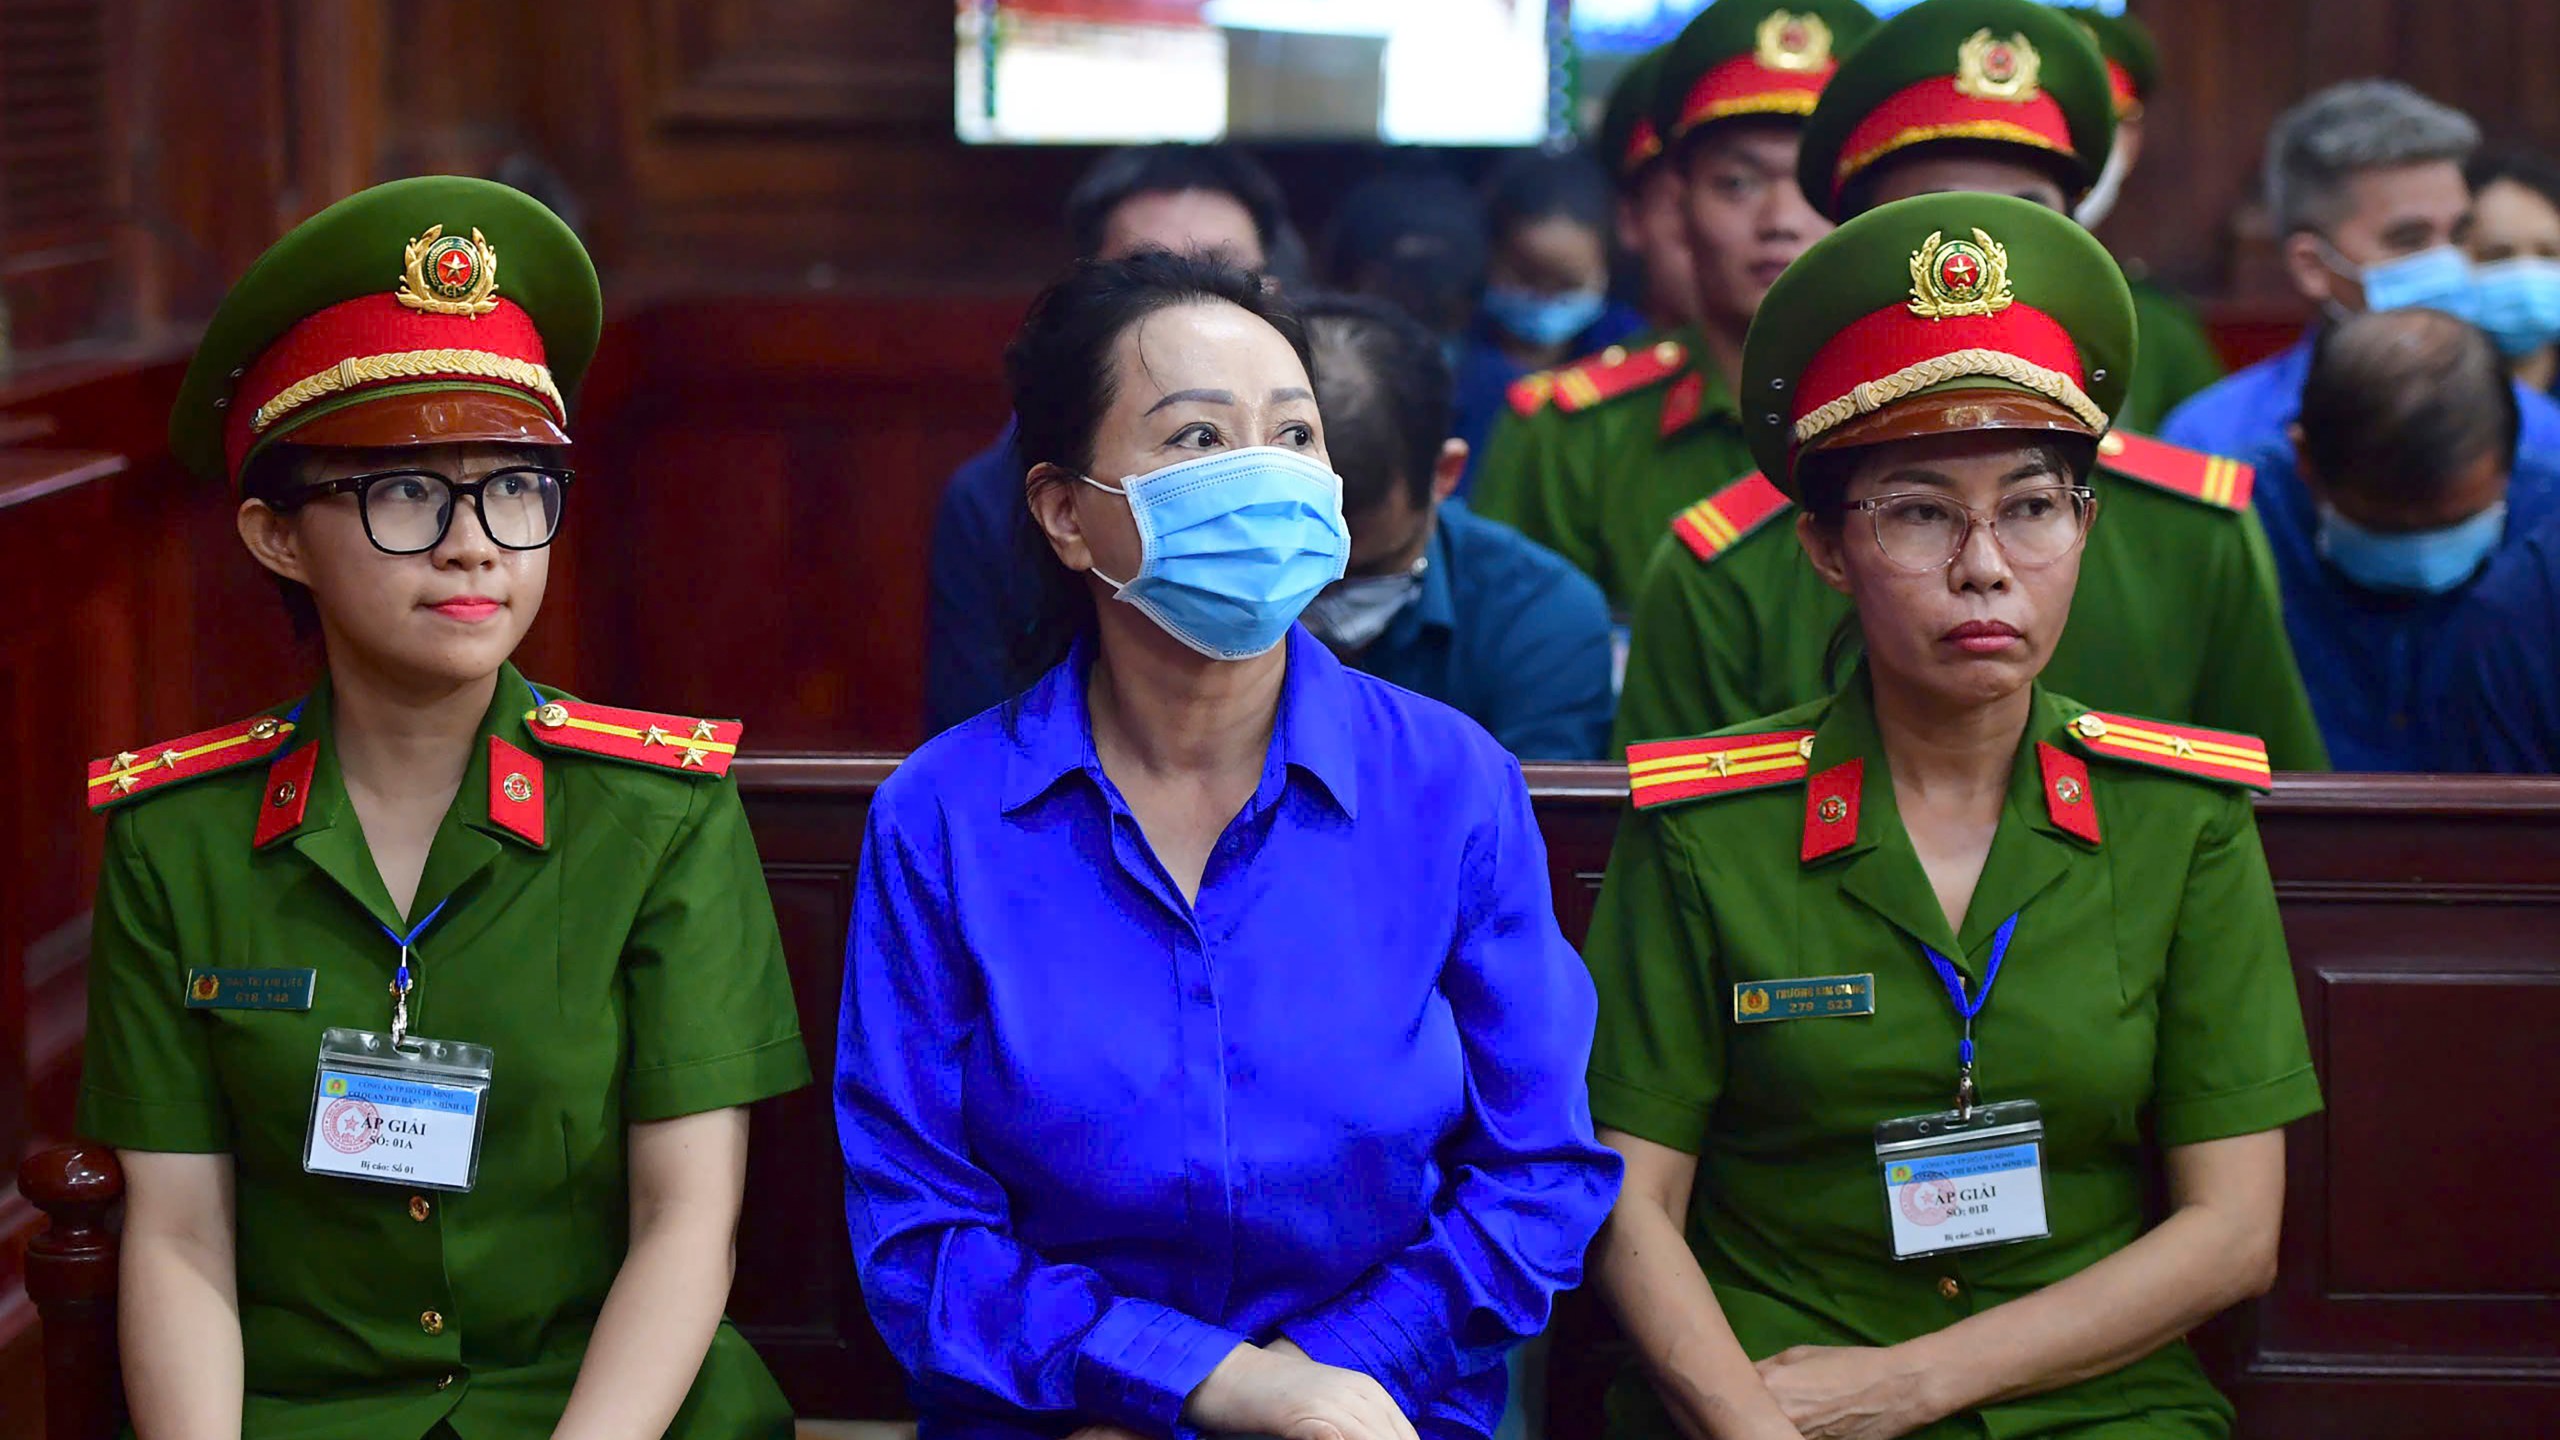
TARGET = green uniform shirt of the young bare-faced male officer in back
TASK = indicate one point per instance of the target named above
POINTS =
(1601, 486)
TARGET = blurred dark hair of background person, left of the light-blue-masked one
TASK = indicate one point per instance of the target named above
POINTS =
(1417, 240)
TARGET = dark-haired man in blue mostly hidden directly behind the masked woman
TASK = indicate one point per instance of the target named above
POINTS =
(979, 593)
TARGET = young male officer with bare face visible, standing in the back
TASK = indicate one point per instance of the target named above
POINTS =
(1599, 457)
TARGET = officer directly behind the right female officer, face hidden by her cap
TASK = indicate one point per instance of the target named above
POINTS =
(1985, 96)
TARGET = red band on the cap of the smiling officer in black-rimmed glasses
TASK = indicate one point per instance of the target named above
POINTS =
(378, 327)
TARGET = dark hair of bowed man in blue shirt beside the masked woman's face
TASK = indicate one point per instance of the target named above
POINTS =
(1386, 393)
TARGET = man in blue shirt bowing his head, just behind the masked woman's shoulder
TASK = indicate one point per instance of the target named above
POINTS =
(1443, 601)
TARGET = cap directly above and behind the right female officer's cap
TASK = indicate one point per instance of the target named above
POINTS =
(2006, 73)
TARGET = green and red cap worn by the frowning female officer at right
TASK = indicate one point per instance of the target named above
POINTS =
(1929, 316)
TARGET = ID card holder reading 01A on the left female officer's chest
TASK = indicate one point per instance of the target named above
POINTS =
(398, 1113)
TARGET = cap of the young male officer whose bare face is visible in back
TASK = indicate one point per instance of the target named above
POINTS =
(1752, 60)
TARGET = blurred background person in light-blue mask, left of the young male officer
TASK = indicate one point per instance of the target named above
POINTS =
(1548, 283)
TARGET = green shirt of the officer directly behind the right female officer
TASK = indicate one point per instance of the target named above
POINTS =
(2177, 616)
